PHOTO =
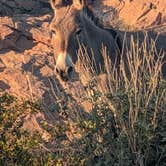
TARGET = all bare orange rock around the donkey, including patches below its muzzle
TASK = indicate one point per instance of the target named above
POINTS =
(26, 58)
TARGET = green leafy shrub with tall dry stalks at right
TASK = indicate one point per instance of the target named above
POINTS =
(125, 125)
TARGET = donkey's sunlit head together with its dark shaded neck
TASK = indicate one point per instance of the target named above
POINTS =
(75, 25)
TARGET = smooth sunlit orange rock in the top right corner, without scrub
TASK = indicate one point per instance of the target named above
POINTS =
(139, 13)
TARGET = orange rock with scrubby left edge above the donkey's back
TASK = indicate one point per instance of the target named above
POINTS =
(134, 14)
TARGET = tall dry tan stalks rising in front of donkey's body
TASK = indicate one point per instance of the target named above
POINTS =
(138, 91)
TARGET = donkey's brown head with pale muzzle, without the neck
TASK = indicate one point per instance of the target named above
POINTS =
(67, 31)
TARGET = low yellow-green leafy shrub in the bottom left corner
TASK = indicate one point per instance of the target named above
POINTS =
(16, 145)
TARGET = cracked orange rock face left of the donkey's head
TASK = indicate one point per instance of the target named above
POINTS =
(24, 47)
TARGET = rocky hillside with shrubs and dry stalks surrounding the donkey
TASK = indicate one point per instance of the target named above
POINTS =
(110, 120)
